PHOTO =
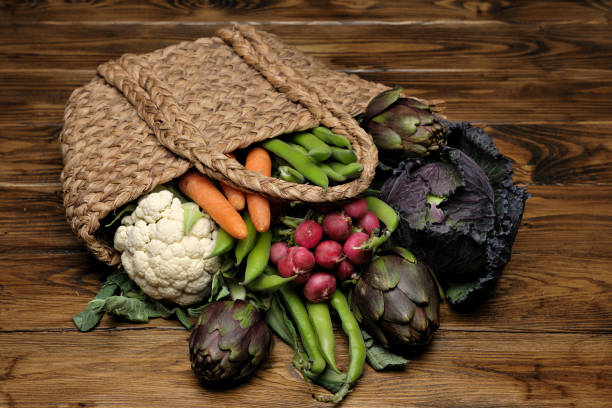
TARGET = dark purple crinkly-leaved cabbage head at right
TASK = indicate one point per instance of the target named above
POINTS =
(460, 211)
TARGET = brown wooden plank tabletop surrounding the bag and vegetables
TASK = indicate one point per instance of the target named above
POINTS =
(536, 74)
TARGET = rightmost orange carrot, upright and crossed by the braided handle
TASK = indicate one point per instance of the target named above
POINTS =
(258, 206)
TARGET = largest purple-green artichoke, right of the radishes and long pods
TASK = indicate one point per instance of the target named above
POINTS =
(396, 301)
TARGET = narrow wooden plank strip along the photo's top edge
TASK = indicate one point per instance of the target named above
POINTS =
(307, 11)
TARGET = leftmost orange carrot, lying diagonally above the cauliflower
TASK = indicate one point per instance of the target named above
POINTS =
(203, 192)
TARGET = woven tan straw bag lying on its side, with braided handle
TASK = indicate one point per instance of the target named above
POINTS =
(146, 119)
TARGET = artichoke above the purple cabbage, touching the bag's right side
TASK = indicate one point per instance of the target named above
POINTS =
(402, 127)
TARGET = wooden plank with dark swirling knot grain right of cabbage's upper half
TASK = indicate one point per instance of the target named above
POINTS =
(542, 154)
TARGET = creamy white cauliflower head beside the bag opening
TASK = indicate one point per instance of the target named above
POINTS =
(157, 254)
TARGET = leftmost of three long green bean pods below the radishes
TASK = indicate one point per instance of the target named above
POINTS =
(302, 321)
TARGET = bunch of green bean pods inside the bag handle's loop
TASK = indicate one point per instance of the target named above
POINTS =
(318, 155)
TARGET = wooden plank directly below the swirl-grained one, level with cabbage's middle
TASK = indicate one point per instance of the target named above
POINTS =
(573, 220)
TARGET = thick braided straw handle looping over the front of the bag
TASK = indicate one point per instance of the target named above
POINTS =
(157, 106)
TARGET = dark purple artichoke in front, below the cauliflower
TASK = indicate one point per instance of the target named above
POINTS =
(228, 343)
